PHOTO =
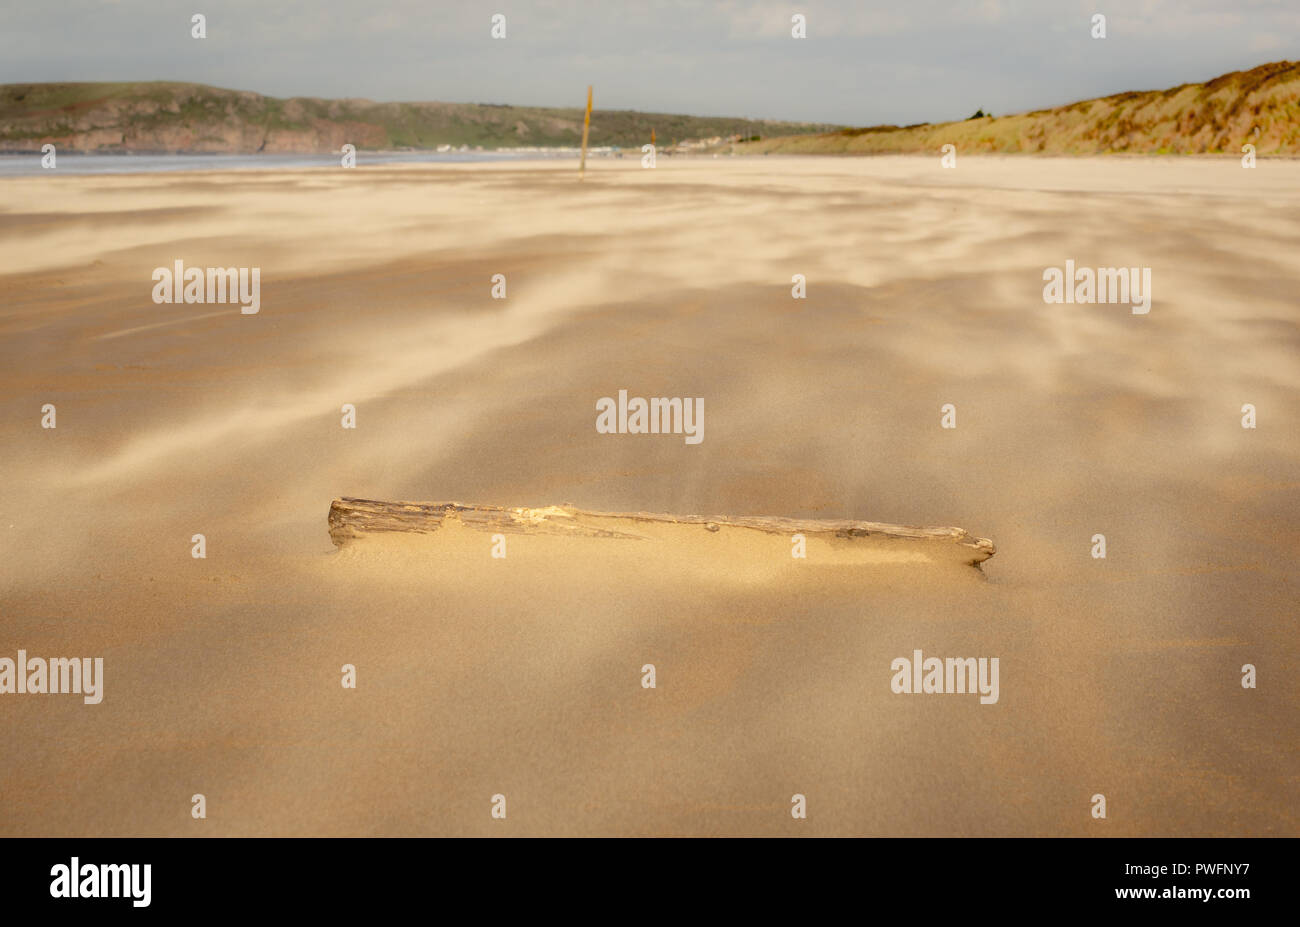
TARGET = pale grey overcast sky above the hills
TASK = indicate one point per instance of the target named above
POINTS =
(864, 63)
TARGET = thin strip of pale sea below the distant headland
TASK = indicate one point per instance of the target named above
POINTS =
(19, 166)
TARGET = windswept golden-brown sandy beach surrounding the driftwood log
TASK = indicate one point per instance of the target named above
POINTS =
(523, 677)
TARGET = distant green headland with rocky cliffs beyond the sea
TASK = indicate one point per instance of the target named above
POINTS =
(190, 118)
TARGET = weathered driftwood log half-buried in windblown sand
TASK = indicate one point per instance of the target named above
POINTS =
(352, 519)
